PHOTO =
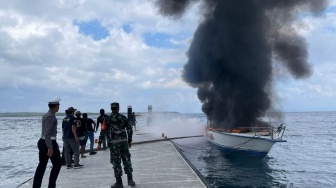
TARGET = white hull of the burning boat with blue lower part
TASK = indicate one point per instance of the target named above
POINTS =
(248, 143)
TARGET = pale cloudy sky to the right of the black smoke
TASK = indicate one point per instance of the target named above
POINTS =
(316, 92)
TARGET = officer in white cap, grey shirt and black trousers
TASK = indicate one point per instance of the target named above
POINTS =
(48, 147)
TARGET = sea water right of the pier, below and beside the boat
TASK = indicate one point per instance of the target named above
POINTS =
(306, 160)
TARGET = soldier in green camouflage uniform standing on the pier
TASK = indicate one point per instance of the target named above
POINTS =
(120, 140)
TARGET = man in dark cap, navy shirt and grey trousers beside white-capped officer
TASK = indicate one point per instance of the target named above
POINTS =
(70, 139)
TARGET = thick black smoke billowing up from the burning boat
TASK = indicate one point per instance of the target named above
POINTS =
(234, 50)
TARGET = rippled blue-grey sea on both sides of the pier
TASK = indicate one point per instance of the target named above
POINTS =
(306, 160)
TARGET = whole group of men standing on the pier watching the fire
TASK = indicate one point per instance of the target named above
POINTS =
(75, 132)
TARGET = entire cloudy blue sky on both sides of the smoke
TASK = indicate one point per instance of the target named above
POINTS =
(93, 53)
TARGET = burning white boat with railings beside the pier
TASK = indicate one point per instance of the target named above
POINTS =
(253, 141)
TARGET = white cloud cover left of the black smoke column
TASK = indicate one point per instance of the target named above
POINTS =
(43, 51)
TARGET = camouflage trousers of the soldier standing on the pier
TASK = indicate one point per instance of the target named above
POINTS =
(120, 152)
